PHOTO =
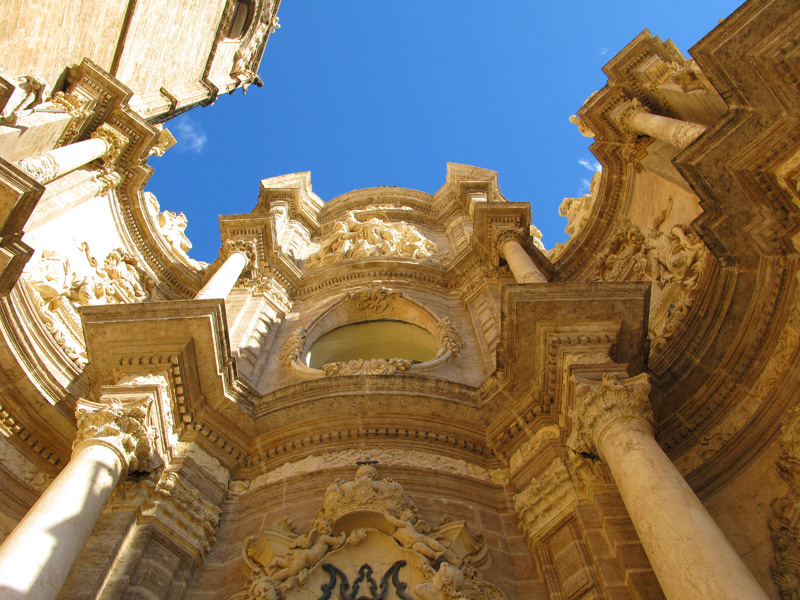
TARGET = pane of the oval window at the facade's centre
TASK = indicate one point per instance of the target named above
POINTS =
(373, 339)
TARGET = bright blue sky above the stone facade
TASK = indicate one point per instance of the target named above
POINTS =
(364, 93)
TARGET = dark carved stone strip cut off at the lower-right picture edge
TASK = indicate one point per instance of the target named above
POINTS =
(785, 521)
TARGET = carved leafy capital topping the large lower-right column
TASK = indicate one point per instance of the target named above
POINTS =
(600, 404)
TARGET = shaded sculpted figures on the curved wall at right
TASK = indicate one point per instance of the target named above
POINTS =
(675, 261)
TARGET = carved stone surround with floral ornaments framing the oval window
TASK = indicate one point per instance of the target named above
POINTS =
(377, 300)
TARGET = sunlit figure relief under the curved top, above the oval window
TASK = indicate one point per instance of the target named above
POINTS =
(352, 238)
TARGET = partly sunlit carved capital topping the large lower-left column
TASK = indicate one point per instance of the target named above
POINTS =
(124, 428)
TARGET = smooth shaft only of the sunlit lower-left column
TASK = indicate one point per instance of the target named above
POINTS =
(39, 554)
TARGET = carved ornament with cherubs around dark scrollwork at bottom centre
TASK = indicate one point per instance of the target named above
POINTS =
(367, 541)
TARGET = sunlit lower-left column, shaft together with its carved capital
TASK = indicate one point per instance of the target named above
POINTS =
(38, 555)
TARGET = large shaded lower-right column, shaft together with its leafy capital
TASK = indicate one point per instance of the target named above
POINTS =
(691, 557)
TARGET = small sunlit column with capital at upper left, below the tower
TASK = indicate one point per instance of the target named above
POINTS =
(106, 143)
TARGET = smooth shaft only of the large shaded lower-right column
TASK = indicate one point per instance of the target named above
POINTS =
(689, 554)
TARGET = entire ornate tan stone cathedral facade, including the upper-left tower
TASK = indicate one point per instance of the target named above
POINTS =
(394, 394)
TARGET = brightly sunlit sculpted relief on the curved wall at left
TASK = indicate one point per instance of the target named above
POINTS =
(58, 287)
